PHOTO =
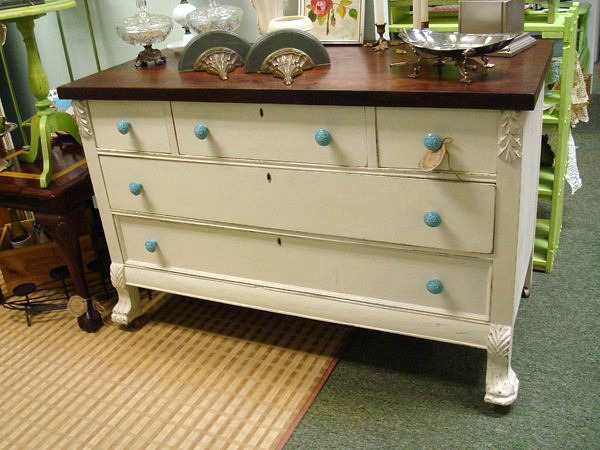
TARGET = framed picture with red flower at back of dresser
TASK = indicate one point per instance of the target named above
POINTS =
(335, 21)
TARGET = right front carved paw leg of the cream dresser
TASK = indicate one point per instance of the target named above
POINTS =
(501, 382)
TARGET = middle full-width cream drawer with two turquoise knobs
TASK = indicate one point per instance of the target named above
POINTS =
(353, 205)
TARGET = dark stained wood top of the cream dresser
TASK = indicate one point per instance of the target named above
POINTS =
(357, 76)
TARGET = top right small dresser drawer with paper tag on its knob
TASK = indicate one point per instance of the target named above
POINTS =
(474, 135)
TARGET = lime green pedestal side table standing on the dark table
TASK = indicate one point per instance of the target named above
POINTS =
(47, 120)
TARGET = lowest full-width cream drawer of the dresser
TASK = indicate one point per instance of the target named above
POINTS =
(389, 277)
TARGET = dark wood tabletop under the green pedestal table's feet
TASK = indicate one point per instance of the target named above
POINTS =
(62, 196)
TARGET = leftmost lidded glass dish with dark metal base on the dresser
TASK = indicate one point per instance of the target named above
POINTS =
(145, 29)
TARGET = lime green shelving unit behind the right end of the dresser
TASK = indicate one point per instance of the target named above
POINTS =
(558, 22)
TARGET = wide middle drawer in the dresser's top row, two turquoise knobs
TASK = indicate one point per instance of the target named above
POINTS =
(272, 132)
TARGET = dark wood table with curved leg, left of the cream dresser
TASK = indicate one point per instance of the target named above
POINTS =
(59, 208)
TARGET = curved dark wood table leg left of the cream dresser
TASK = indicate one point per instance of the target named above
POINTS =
(64, 229)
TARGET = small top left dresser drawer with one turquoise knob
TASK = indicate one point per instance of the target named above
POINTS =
(133, 126)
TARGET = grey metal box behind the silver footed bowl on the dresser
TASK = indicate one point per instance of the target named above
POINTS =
(491, 16)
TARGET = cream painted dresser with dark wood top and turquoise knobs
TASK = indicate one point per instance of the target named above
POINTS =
(308, 200)
